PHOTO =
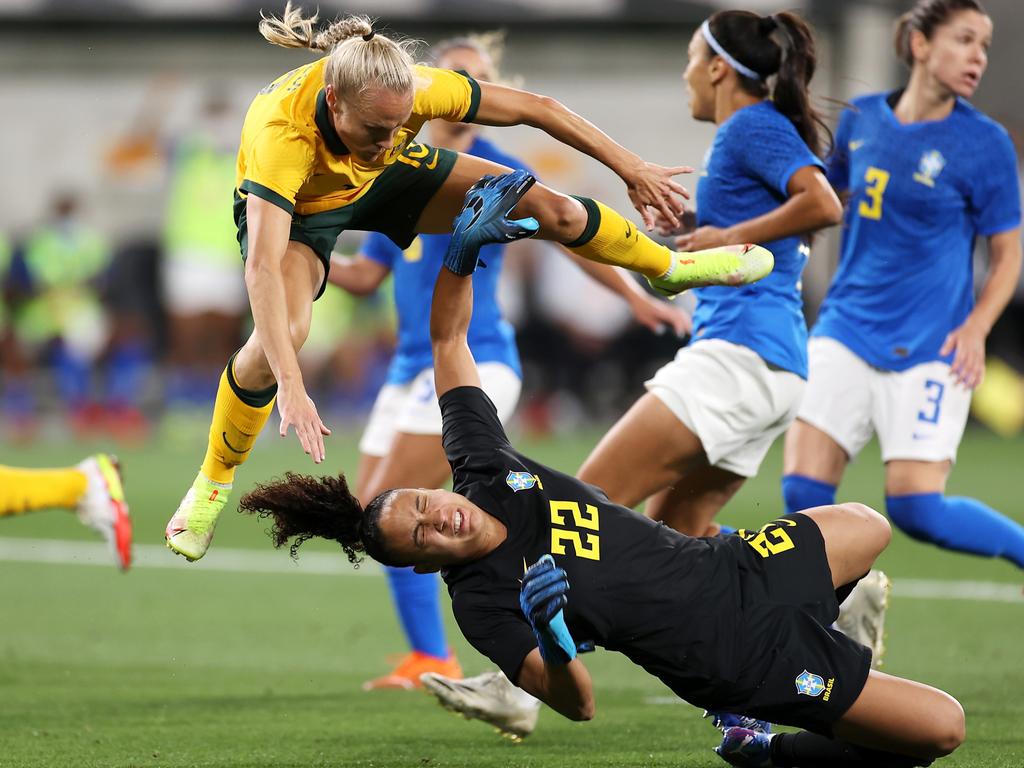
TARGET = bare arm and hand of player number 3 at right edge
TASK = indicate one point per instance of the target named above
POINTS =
(968, 342)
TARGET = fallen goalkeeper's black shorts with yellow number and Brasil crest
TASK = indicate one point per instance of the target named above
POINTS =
(796, 670)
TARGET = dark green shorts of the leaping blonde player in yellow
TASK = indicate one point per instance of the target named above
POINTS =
(393, 206)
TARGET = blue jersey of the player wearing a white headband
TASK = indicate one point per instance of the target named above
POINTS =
(755, 154)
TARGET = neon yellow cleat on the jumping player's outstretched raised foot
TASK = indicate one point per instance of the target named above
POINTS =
(729, 266)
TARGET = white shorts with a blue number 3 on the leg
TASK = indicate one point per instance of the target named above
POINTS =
(919, 414)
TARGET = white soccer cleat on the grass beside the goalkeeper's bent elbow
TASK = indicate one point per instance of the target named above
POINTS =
(491, 698)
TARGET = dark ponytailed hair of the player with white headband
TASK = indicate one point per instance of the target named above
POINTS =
(781, 47)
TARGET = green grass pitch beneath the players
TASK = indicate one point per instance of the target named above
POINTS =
(179, 665)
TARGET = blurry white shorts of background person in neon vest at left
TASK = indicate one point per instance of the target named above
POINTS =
(193, 287)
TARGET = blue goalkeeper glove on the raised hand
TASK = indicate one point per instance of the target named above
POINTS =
(484, 220)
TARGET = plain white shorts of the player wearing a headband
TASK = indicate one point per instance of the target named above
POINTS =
(732, 400)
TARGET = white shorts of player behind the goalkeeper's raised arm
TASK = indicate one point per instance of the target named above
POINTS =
(413, 408)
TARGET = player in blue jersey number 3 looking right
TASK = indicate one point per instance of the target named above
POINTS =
(901, 343)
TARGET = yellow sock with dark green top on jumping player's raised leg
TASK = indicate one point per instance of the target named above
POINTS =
(610, 239)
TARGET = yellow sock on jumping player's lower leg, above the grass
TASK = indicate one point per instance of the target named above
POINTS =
(239, 416)
